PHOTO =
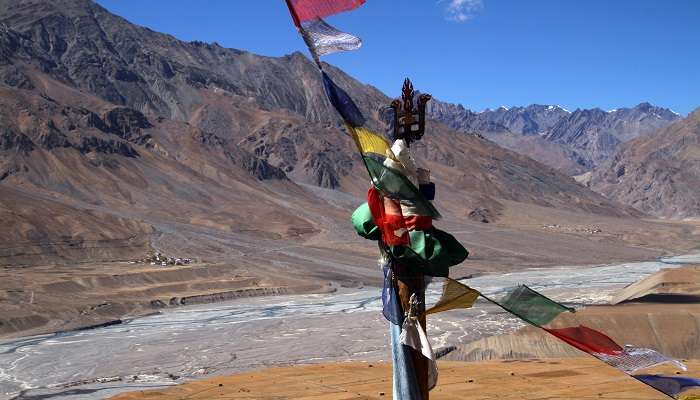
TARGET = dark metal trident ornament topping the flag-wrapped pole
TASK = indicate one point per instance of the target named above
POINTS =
(409, 121)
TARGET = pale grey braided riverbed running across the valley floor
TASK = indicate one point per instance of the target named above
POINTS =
(193, 342)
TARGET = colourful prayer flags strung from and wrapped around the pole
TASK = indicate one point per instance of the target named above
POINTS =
(401, 212)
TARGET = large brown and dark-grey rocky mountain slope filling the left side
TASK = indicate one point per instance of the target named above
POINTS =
(108, 115)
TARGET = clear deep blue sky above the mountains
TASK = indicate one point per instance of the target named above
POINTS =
(479, 53)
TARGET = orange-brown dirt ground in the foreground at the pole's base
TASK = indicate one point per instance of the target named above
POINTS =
(567, 378)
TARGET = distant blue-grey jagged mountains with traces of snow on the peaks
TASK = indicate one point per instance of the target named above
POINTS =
(573, 142)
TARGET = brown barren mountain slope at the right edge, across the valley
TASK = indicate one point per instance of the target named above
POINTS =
(659, 174)
